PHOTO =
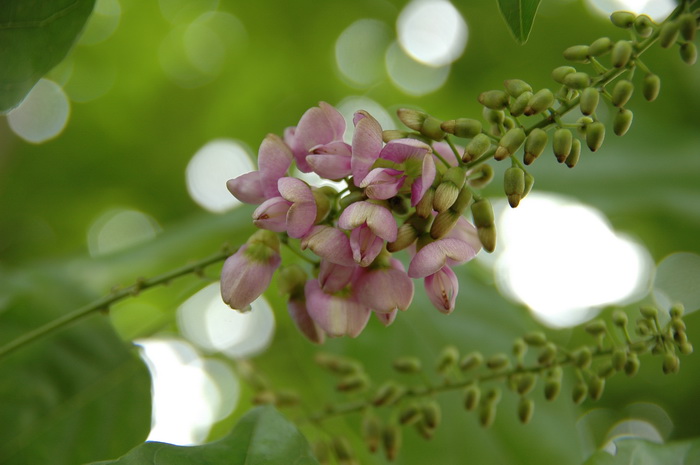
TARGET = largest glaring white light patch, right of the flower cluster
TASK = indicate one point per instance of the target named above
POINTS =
(563, 260)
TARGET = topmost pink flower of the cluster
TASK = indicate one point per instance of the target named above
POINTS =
(318, 127)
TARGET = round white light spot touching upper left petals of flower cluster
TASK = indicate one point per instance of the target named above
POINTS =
(210, 168)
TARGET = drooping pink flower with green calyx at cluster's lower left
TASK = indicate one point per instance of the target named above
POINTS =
(247, 273)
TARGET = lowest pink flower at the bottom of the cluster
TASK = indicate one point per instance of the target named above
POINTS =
(336, 315)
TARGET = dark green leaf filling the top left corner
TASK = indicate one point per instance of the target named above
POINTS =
(35, 35)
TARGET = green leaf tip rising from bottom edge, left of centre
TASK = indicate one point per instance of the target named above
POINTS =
(262, 436)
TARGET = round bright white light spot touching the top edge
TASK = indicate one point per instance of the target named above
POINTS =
(432, 32)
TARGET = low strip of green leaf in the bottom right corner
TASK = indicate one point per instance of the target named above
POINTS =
(630, 451)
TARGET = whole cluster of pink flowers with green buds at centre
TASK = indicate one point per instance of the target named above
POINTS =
(353, 232)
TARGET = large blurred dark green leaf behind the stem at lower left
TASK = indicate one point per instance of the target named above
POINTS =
(77, 396)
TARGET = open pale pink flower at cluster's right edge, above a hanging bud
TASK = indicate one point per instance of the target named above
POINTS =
(459, 246)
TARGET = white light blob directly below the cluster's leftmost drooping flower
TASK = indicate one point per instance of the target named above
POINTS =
(205, 320)
